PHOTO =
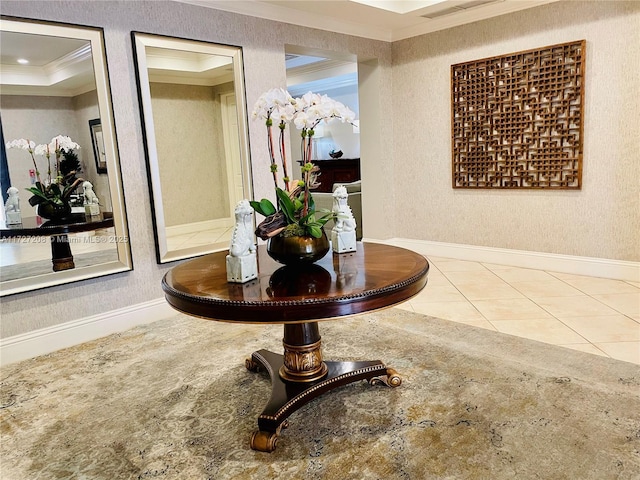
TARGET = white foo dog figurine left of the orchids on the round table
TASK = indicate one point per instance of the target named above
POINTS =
(242, 264)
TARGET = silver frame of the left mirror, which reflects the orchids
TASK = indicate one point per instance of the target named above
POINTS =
(95, 37)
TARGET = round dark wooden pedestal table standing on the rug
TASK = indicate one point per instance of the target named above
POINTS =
(375, 276)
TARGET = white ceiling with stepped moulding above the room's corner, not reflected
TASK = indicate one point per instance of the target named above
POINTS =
(374, 19)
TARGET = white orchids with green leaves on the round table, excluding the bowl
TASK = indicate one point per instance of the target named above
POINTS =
(296, 214)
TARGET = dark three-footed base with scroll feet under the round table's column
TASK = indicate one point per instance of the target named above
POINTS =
(289, 396)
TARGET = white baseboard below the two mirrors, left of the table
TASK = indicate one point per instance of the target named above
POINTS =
(47, 340)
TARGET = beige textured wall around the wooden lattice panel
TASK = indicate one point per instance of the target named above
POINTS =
(603, 219)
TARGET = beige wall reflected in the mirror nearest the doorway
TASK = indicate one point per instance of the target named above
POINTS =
(190, 144)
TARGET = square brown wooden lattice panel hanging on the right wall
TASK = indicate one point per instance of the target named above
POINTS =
(517, 120)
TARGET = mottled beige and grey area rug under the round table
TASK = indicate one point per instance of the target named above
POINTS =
(173, 400)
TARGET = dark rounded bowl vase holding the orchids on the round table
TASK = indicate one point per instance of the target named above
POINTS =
(298, 250)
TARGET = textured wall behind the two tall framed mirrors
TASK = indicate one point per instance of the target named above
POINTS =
(263, 50)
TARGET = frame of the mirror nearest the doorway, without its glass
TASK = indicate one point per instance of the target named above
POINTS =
(140, 41)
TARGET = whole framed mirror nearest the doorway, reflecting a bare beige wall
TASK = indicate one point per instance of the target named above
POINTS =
(193, 107)
